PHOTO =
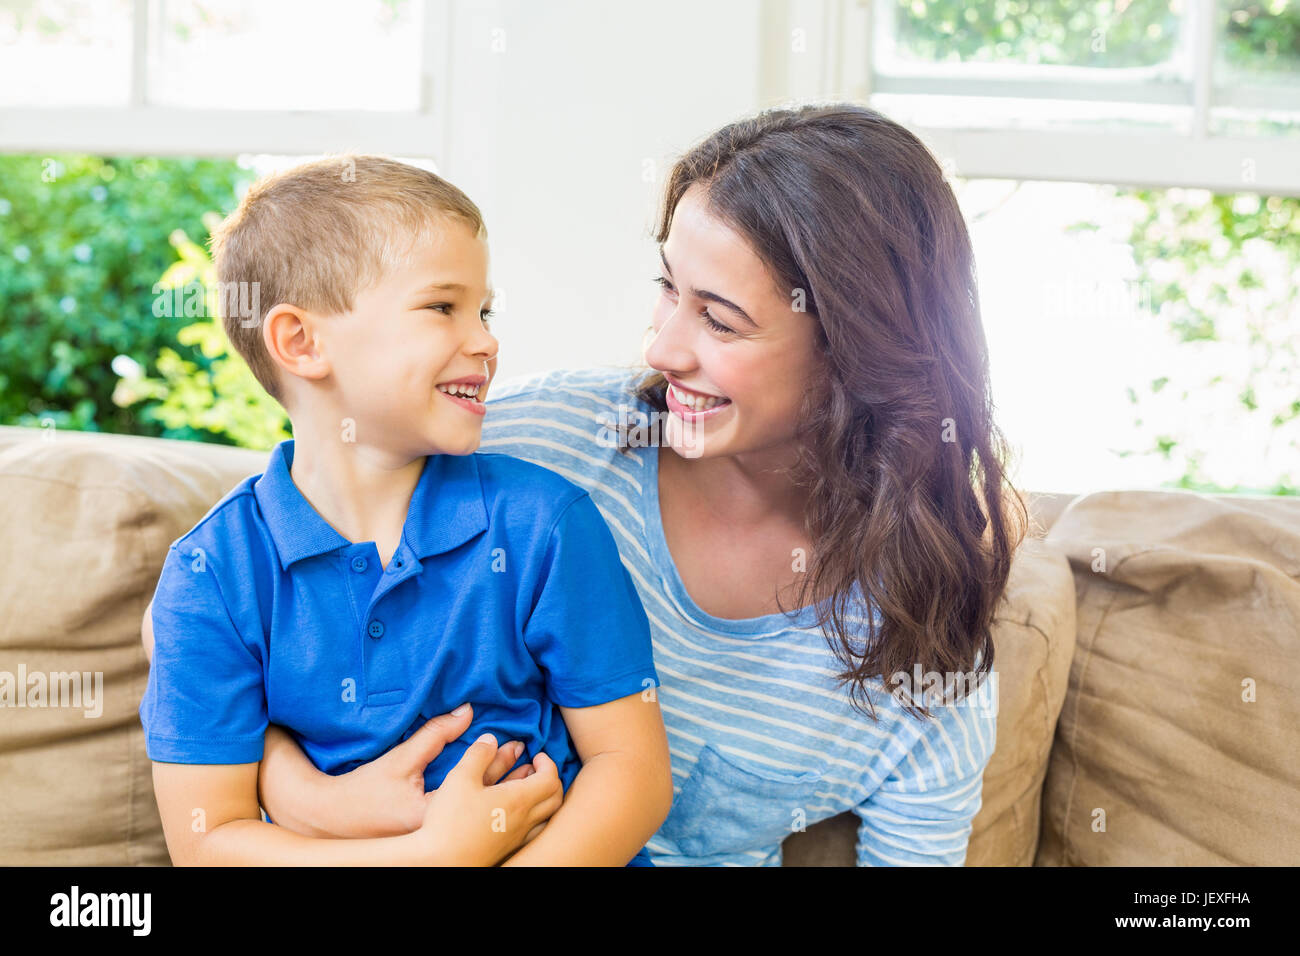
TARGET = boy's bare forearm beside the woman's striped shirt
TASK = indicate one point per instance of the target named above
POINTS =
(614, 806)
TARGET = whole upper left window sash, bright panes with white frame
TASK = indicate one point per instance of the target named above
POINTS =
(220, 77)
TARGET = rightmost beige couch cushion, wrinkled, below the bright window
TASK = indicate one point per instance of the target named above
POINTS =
(1185, 603)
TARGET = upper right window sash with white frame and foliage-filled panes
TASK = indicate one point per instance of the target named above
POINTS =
(1171, 93)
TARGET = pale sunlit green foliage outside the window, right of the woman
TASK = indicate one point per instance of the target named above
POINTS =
(1221, 276)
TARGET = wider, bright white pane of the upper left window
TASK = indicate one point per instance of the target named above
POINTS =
(287, 55)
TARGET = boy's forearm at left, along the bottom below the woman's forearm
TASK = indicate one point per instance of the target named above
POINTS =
(255, 843)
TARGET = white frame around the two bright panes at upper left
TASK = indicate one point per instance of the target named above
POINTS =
(145, 129)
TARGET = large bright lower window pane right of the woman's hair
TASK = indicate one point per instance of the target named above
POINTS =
(1142, 338)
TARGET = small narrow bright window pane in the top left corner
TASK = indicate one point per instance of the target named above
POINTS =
(66, 53)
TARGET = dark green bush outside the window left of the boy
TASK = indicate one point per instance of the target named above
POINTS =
(83, 243)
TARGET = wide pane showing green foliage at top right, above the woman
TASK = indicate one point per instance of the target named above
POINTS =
(1058, 33)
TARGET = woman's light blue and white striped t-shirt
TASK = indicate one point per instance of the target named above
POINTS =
(764, 742)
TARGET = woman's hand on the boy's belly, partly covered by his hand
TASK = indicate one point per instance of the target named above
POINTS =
(389, 790)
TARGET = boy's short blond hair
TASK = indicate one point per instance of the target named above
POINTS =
(318, 235)
